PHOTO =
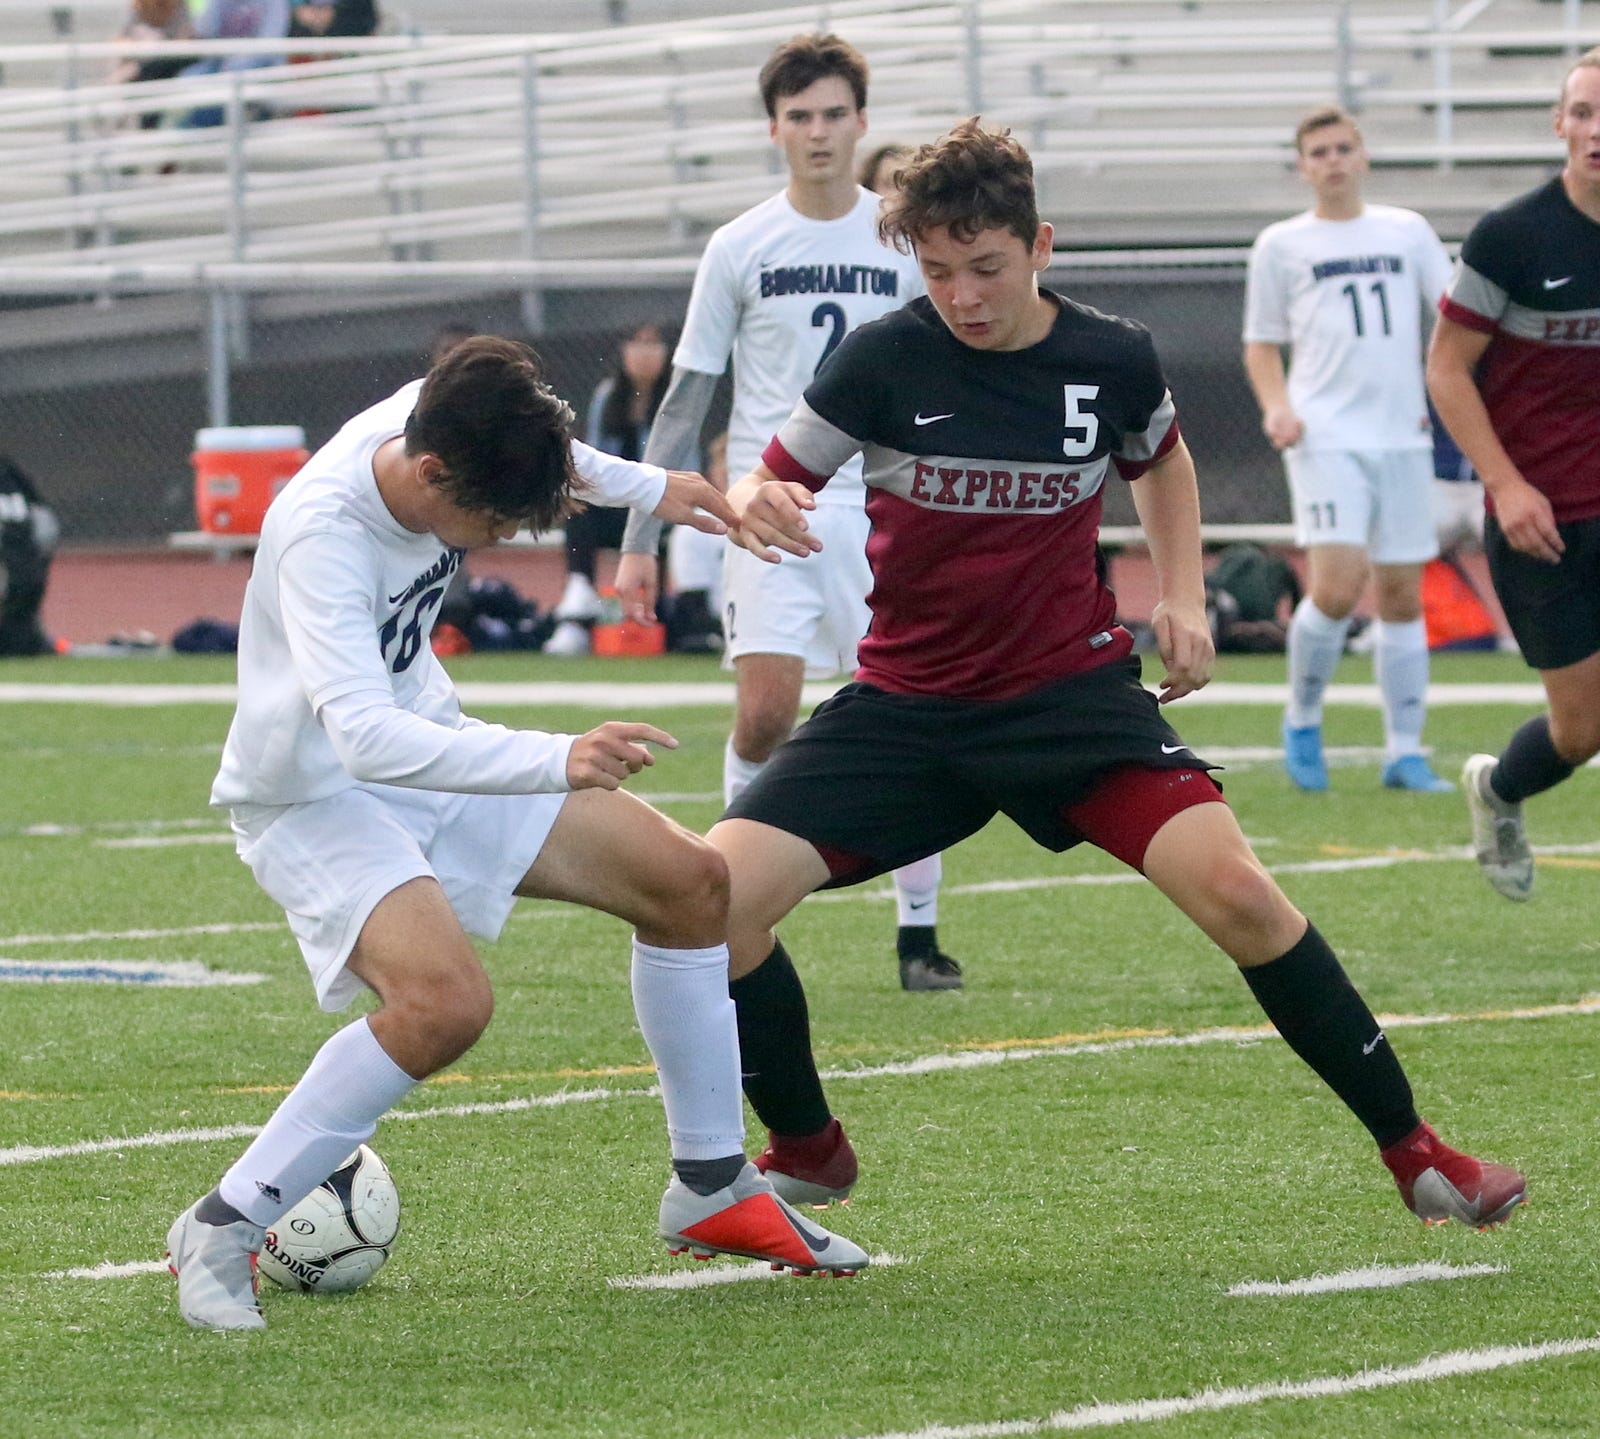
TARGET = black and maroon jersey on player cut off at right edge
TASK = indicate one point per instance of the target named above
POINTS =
(1530, 278)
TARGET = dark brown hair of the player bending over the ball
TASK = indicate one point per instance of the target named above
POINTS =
(502, 435)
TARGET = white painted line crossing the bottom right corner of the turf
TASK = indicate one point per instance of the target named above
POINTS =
(1447, 1366)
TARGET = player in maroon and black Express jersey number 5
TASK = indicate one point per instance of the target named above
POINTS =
(996, 678)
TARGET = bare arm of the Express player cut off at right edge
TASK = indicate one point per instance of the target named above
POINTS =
(1522, 513)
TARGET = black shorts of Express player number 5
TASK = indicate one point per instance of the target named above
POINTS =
(876, 780)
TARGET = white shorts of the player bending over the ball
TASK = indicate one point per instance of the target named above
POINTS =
(332, 860)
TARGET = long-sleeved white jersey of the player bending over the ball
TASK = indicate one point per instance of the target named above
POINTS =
(337, 678)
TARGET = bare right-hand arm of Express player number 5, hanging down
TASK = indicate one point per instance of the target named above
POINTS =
(1167, 500)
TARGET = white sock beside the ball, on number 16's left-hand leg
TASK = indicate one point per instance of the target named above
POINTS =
(348, 1089)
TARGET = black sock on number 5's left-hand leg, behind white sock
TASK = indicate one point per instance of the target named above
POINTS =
(775, 1048)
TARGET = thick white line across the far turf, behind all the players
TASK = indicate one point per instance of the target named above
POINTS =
(679, 695)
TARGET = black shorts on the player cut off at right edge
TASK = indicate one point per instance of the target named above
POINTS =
(1554, 611)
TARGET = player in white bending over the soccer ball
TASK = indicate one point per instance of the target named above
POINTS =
(388, 825)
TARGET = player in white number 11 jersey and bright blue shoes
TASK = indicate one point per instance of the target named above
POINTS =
(1345, 286)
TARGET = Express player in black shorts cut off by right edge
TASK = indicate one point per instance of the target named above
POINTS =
(1516, 374)
